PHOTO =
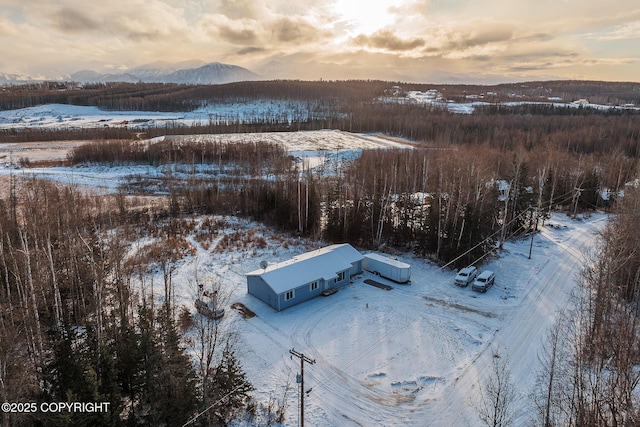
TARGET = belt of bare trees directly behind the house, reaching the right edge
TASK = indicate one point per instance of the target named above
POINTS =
(449, 204)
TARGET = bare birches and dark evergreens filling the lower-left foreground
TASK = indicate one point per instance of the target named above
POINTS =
(73, 328)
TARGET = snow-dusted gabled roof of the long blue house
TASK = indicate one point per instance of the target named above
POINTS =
(323, 263)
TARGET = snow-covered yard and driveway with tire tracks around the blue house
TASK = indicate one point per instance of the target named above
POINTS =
(414, 355)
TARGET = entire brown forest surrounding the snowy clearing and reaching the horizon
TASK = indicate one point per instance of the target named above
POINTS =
(74, 328)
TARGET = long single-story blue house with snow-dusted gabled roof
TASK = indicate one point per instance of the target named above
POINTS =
(305, 276)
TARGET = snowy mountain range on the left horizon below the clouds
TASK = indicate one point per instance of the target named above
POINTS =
(191, 72)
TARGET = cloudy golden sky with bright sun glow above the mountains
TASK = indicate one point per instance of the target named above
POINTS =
(445, 41)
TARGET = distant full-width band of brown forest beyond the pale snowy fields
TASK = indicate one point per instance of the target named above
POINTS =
(588, 131)
